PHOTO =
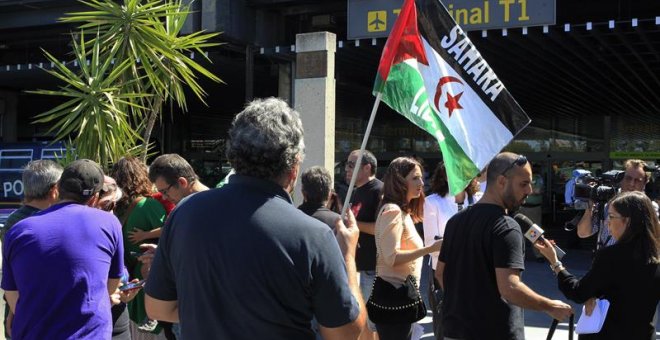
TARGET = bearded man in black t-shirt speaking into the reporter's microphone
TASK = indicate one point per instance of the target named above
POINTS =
(482, 258)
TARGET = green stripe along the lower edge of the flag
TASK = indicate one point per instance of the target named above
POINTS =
(404, 92)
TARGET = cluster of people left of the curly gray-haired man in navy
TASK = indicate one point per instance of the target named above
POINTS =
(90, 220)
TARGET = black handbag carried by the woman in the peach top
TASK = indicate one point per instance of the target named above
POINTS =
(390, 305)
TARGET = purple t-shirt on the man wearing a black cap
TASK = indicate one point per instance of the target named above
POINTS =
(60, 260)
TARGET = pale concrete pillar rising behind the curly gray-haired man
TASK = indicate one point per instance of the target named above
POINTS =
(314, 98)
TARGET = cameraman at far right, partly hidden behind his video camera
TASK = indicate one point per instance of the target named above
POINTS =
(635, 179)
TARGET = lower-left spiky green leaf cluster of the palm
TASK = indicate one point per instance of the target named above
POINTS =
(95, 116)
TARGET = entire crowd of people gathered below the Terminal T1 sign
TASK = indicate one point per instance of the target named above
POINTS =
(242, 262)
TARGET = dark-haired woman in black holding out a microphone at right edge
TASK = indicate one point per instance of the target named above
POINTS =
(627, 273)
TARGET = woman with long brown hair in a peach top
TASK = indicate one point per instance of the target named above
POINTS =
(399, 246)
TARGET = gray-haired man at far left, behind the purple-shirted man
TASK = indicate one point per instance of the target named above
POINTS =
(39, 190)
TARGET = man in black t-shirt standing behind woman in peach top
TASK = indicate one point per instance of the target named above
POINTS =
(364, 204)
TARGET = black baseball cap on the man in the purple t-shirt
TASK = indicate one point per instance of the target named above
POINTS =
(82, 177)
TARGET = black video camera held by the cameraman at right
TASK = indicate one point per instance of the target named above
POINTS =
(598, 189)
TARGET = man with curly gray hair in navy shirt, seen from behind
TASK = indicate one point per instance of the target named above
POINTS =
(241, 262)
